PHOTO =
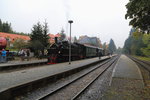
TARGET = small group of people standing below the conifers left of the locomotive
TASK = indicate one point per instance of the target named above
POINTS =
(24, 54)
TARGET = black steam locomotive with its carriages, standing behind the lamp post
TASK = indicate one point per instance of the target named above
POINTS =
(59, 52)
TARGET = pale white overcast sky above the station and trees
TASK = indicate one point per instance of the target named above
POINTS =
(104, 19)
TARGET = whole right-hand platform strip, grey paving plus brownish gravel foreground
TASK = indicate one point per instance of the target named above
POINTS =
(127, 82)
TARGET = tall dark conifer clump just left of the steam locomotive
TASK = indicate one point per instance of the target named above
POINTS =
(39, 37)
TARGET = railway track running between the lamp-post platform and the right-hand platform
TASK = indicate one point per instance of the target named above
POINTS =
(73, 89)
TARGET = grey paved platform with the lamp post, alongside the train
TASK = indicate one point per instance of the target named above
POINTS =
(12, 79)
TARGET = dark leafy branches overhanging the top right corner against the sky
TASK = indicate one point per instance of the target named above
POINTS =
(139, 13)
